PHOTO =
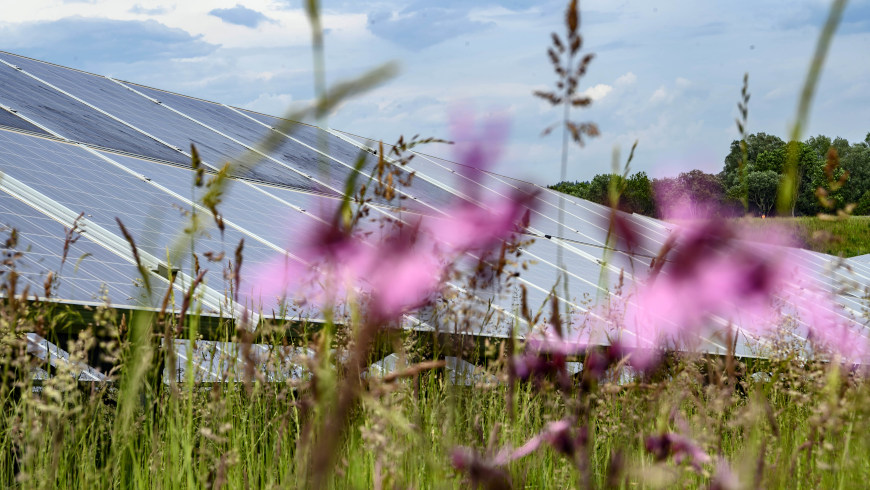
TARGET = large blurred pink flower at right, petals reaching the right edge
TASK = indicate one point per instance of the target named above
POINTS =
(715, 277)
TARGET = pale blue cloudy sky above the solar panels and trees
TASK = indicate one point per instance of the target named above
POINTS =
(666, 73)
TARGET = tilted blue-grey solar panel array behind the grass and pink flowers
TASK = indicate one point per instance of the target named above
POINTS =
(76, 143)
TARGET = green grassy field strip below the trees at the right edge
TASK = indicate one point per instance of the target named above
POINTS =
(849, 237)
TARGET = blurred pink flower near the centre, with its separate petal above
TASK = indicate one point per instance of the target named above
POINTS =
(400, 266)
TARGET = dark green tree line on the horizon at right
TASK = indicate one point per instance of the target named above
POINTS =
(833, 175)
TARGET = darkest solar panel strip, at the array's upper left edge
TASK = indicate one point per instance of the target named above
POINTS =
(72, 119)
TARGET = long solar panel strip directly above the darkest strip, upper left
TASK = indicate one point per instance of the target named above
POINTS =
(159, 122)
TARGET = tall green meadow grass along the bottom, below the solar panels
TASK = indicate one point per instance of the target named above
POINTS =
(782, 423)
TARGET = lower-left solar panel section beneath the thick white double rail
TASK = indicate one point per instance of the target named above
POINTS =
(88, 266)
